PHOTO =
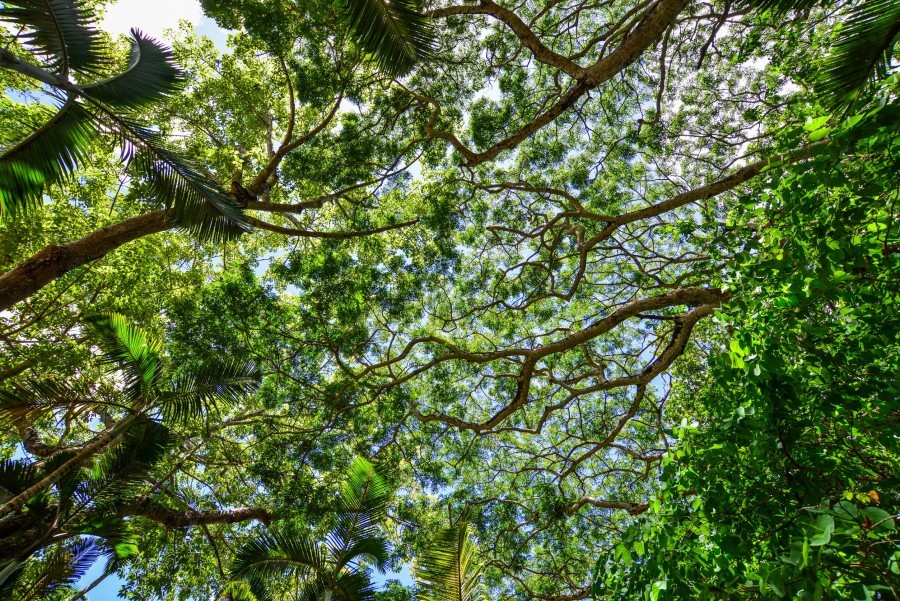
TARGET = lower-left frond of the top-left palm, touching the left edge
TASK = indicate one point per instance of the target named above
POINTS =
(55, 148)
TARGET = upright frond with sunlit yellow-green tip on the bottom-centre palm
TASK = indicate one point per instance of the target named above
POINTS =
(361, 504)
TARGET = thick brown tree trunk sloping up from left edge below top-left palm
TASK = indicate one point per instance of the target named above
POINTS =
(58, 259)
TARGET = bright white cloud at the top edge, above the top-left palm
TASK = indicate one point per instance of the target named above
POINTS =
(151, 17)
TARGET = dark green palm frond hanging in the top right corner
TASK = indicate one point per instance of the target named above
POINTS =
(863, 50)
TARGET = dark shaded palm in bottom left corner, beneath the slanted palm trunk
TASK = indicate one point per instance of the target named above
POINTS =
(85, 522)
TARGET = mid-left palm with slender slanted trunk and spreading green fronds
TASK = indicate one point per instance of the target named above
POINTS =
(147, 391)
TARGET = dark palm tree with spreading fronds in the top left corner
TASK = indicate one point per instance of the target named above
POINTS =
(67, 50)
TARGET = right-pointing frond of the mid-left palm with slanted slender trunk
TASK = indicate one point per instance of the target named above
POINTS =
(207, 388)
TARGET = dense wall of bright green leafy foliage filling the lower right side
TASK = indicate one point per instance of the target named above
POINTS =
(802, 404)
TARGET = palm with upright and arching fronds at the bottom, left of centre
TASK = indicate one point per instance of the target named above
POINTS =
(331, 570)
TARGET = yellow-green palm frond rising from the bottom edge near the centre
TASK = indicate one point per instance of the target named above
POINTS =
(447, 570)
